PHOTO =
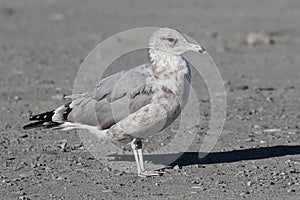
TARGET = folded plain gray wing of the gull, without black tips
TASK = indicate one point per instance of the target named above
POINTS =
(114, 98)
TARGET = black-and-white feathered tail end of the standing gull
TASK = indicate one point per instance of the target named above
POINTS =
(50, 119)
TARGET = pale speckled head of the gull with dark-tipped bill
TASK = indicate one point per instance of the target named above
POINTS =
(173, 42)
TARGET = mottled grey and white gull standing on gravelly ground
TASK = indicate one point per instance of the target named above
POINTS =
(132, 104)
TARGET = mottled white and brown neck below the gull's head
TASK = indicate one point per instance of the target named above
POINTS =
(164, 62)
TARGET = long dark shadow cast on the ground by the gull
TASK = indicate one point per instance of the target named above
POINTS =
(192, 158)
